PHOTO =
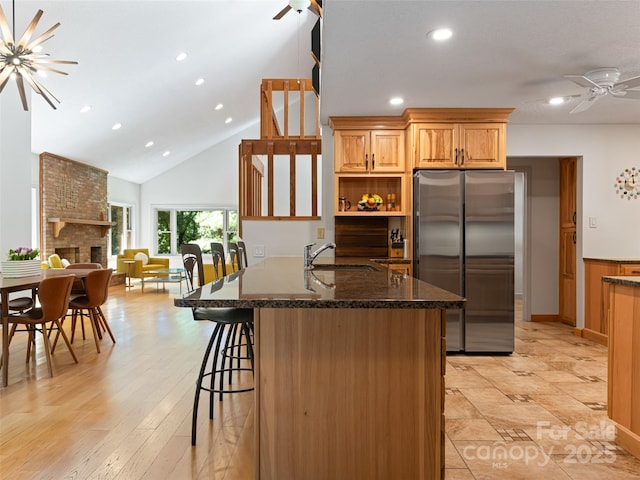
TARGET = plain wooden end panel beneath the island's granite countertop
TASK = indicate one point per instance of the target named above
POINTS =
(349, 393)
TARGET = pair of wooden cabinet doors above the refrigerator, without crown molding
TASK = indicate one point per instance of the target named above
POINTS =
(454, 145)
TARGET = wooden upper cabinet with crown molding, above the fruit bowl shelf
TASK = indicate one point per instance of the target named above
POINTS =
(360, 147)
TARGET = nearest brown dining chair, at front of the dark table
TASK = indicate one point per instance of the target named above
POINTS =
(53, 295)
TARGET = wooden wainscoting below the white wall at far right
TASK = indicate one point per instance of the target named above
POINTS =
(596, 294)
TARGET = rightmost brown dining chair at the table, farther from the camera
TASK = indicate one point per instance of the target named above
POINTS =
(96, 285)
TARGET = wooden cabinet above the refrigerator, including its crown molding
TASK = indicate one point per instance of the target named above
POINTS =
(458, 138)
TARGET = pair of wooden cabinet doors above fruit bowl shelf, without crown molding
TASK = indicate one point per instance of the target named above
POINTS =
(369, 151)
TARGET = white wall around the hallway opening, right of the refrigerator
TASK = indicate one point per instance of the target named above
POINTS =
(605, 150)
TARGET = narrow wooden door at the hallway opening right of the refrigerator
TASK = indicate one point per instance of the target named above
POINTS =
(567, 241)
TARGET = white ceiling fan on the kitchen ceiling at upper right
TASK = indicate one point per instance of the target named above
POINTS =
(602, 82)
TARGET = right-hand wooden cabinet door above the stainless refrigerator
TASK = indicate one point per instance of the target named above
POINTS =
(482, 145)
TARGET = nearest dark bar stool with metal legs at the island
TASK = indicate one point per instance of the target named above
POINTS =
(227, 321)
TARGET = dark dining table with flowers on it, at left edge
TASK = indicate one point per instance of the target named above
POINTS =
(10, 285)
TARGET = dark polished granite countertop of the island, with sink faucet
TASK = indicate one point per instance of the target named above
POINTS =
(282, 282)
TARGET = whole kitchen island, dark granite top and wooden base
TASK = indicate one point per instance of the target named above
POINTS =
(349, 372)
